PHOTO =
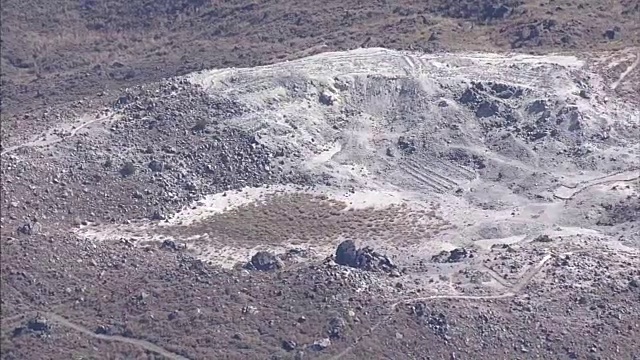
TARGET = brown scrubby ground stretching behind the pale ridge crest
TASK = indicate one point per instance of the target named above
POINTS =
(108, 44)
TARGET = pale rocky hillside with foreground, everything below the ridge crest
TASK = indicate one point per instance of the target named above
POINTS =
(502, 191)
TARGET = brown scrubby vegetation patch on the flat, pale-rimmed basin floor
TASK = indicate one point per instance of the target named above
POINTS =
(279, 220)
